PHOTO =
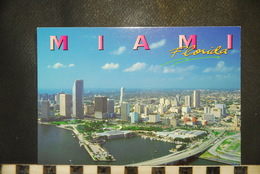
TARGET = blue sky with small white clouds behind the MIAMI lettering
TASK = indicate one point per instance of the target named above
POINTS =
(120, 65)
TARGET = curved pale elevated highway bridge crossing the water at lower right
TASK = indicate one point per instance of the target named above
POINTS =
(183, 155)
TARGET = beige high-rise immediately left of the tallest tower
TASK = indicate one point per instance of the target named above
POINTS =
(65, 105)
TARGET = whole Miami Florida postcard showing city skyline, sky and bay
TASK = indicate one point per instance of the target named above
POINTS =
(139, 96)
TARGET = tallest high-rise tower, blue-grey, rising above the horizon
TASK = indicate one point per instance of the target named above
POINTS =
(77, 98)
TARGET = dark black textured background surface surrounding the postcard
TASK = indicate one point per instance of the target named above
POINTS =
(19, 19)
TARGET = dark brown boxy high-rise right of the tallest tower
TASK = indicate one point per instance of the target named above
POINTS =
(100, 106)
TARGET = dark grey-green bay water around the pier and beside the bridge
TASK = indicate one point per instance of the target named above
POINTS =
(57, 146)
